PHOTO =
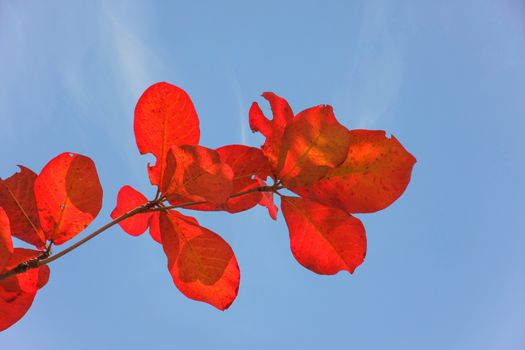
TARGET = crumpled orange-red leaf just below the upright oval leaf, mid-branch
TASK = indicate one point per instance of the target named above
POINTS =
(196, 173)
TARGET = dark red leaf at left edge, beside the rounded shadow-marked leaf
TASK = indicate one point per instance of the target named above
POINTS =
(18, 200)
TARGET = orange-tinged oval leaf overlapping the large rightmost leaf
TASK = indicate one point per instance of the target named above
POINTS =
(313, 143)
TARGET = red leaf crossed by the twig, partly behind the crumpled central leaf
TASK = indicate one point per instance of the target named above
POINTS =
(246, 163)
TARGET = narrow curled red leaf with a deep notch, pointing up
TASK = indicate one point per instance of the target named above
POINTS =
(272, 129)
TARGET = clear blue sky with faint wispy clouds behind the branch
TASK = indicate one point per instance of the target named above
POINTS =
(445, 267)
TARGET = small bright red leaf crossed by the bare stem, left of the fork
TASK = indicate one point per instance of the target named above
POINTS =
(128, 199)
